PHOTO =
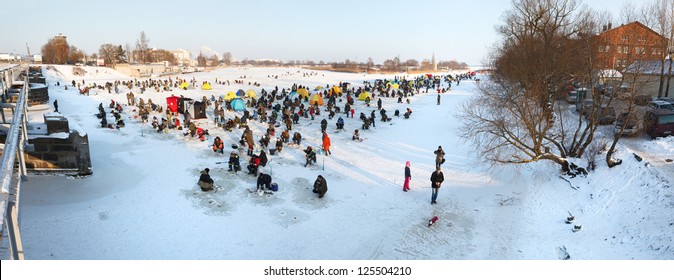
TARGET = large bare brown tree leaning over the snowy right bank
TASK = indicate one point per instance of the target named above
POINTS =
(516, 116)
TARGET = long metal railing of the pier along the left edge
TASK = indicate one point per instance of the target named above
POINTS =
(13, 150)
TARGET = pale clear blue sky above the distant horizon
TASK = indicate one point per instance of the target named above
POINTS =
(289, 29)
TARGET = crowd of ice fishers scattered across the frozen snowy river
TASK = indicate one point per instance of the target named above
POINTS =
(280, 111)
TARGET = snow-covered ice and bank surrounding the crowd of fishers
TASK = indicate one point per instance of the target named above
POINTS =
(142, 201)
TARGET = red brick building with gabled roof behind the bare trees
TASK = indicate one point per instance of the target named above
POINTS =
(619, 47)
